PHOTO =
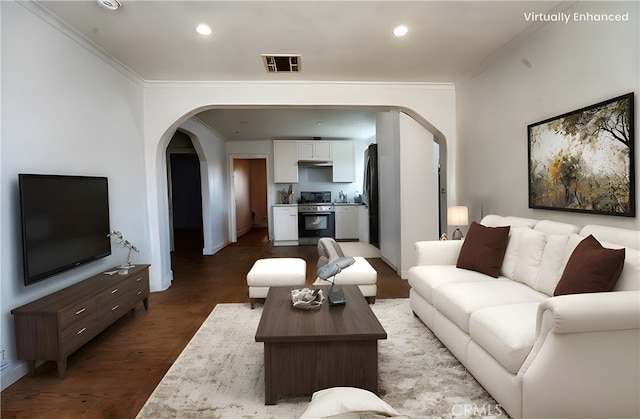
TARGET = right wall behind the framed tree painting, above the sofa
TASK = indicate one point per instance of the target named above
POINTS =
(559, 68)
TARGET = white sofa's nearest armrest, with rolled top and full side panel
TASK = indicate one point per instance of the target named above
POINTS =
(585, 361)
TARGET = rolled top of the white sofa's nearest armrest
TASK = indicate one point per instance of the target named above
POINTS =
(591, 312)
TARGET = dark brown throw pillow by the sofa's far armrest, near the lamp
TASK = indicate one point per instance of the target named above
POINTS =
(483, 249)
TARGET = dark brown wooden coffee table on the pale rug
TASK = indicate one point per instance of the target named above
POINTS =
(306, 351)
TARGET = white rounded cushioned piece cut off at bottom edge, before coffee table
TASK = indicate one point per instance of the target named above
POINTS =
(337, 400)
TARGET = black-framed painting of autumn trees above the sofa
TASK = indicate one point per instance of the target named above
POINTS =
(583, 161)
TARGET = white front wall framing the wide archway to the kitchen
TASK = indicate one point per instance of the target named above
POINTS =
(167, 105)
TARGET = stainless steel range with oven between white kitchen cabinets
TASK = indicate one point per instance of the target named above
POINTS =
(316, 217)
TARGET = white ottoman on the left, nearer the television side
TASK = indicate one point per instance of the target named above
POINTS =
(274, 272)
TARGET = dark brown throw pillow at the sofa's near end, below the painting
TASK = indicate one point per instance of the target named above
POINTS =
(591, 268)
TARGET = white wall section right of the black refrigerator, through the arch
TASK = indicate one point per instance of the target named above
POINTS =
(408, 187)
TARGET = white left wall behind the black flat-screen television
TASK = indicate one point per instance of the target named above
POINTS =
(64, 112)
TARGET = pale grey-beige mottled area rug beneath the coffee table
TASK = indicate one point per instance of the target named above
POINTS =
(220, 373)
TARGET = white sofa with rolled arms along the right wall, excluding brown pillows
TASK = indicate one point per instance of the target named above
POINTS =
(539, 356)
